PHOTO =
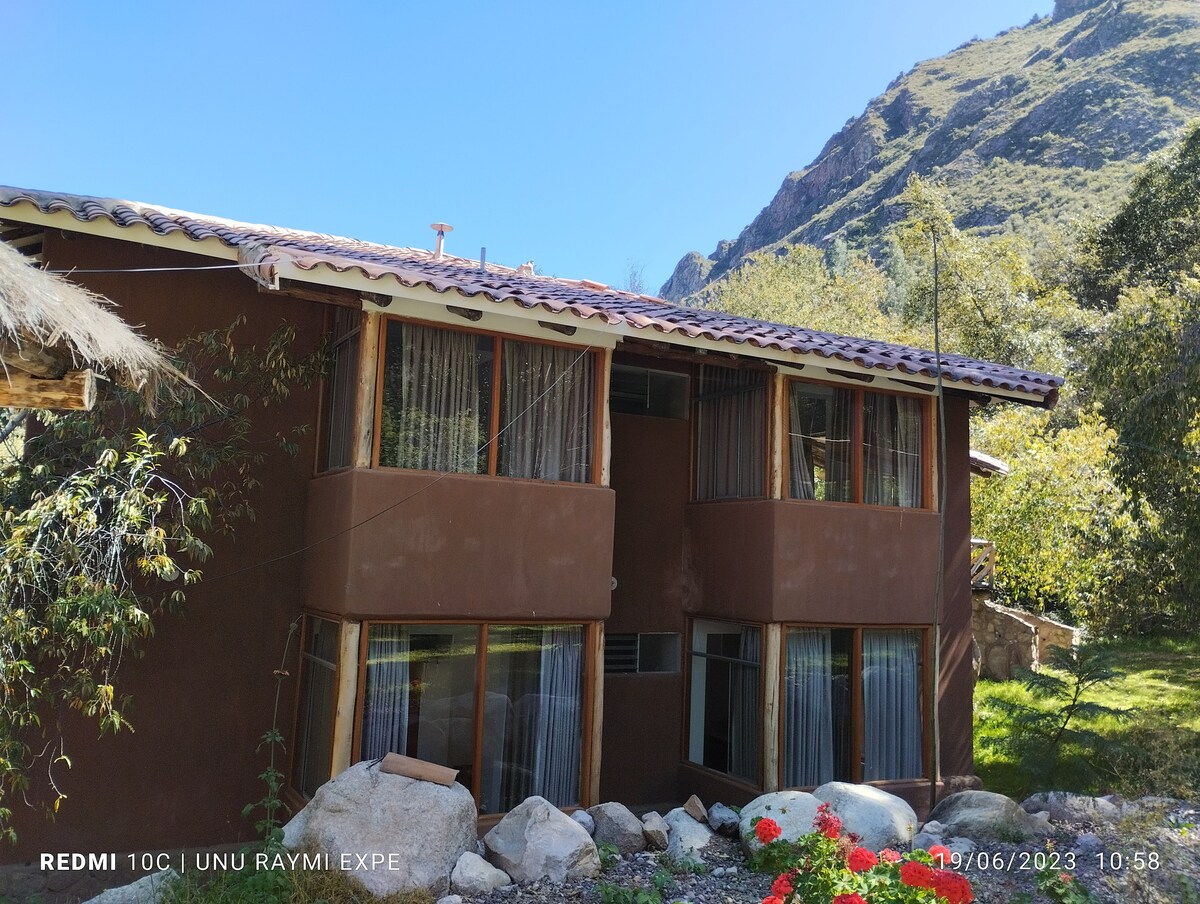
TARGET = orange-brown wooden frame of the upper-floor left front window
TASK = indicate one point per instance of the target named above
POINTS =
(599, 404)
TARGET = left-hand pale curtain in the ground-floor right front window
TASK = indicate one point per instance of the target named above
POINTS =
(808, 709)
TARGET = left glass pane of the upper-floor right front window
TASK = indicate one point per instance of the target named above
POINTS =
(820, 447)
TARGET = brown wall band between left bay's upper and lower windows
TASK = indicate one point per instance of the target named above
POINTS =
(458, 547)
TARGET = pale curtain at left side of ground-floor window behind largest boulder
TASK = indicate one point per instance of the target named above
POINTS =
(386, 709)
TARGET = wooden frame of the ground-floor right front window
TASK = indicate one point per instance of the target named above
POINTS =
(859, 725)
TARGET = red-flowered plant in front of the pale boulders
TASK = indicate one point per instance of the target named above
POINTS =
(830, 867)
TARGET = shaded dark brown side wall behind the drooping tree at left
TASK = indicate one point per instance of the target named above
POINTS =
(205, 692)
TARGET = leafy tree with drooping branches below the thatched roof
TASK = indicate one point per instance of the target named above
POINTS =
(103, 526)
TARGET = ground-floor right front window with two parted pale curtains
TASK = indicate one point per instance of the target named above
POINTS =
(838, 680)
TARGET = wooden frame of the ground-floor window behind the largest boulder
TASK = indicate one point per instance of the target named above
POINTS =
(590, 758)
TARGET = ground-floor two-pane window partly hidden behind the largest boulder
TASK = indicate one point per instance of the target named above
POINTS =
(501, 704)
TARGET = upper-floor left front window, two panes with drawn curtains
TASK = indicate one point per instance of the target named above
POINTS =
(472, 404)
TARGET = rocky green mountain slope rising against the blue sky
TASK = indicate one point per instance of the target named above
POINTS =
(1031, 130)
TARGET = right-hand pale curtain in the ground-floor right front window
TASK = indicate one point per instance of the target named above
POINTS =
(892, 731)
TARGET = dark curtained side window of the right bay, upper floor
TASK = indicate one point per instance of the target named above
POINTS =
(731, 434)
